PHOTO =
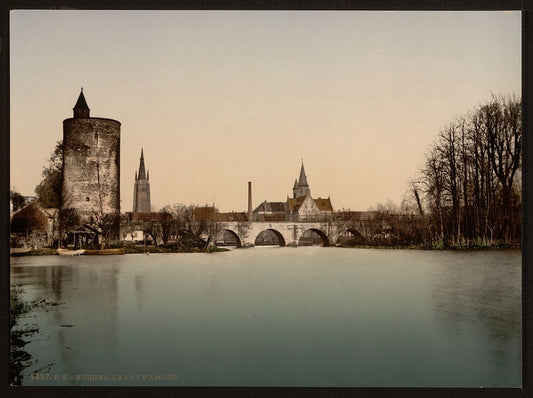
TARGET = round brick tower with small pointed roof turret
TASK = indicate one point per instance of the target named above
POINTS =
(91, 164)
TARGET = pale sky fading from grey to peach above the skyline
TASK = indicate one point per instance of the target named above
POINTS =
(220, 98)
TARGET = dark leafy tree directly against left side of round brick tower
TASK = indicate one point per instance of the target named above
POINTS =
(49, 189)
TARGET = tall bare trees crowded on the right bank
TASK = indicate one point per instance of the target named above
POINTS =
(469, 191)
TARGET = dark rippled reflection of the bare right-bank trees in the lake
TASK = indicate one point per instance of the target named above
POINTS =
(482, 298)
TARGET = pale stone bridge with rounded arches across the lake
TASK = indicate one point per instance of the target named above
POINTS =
(289, 233)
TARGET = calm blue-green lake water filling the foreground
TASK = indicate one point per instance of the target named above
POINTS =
(306, 316)
